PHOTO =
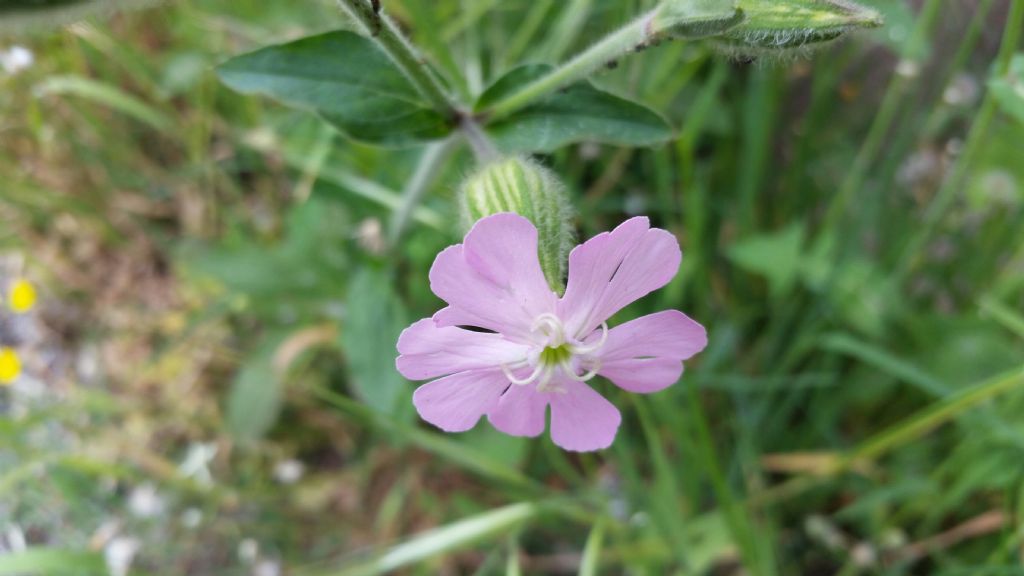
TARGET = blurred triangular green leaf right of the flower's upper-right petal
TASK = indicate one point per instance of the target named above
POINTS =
(777, 257)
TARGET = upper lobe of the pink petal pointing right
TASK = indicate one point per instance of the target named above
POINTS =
(665, 335)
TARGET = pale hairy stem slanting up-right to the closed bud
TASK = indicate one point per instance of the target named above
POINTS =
(606, 52)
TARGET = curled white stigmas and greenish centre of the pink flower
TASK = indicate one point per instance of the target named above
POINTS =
(559, 353)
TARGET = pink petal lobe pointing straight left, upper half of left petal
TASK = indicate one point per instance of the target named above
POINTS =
(430, 352)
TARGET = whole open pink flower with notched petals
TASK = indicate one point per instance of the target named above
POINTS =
(537, 350)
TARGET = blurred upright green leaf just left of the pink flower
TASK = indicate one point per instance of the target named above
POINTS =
(375, 317)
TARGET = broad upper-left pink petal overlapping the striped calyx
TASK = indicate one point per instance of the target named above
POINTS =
(494, 279)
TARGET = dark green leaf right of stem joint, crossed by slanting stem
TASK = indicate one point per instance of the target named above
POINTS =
(580, 113)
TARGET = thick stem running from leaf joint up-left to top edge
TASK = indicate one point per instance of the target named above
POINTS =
(413, 65)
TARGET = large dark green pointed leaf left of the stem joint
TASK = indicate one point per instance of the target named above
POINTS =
(348, 80)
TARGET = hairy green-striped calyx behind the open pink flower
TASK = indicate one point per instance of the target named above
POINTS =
(522, 186)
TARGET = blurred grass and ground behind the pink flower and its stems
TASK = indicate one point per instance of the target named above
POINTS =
(207, 382)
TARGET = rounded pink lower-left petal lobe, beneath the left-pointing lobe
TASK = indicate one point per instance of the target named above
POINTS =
(457, 402)
